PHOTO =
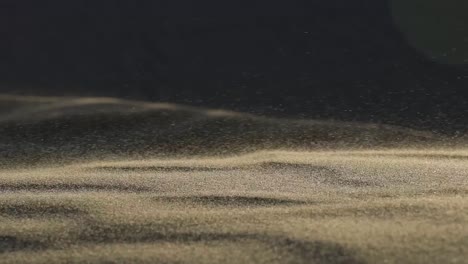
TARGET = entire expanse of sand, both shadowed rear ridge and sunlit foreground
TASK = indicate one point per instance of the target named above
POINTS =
(131, 182)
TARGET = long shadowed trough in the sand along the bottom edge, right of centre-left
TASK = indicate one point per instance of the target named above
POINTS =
(298, 251)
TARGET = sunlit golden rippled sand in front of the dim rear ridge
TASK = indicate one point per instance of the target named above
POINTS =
(387, 206)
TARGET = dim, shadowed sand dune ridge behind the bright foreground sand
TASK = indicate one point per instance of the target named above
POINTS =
(44, 128)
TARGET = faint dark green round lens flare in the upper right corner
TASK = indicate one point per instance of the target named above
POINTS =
(437, 28)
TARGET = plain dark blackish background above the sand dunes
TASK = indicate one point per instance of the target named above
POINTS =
(368, 60)
